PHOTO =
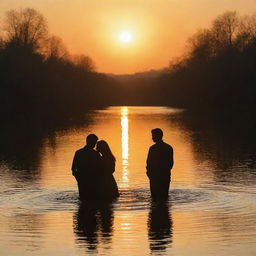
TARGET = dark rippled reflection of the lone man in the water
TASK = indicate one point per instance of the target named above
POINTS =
(159, 227)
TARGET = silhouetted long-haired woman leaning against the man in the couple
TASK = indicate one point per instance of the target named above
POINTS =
(109, 186)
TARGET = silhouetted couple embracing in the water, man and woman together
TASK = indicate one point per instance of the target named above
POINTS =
(93, 170)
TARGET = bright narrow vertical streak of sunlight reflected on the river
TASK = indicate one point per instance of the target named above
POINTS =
(125, 146)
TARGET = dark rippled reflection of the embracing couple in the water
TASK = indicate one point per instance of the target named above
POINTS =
(92, 222)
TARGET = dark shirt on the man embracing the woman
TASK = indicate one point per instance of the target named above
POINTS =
(86, 163)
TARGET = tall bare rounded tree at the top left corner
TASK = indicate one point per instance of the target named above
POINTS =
(26, 27)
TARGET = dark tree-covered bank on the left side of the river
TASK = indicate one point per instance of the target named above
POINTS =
(39, 78)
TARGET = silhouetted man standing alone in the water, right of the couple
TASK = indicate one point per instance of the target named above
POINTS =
(159, 165)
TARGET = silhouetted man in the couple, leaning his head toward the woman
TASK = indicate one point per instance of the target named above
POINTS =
(86, 169)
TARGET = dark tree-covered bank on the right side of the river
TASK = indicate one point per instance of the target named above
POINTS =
(218, 71)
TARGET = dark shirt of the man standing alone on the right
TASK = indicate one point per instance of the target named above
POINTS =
(159, 160)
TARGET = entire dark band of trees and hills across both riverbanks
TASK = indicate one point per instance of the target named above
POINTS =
(41, 82)
